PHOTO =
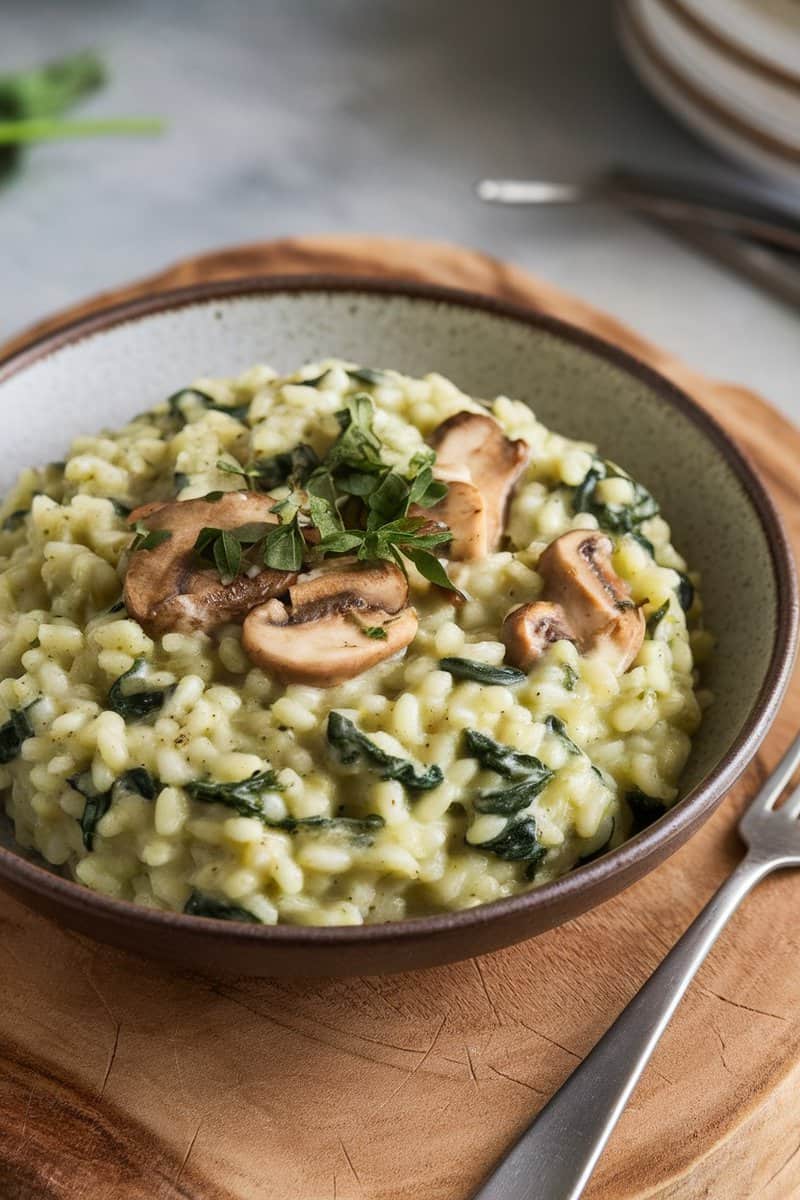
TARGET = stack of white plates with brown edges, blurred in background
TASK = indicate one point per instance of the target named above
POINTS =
(729, 69)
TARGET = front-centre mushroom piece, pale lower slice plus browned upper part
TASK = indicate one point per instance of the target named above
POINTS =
(346, 623)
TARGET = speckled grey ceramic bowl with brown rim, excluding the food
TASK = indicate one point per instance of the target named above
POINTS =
(97, 371)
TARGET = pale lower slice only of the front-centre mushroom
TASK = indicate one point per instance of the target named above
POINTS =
(326, 643)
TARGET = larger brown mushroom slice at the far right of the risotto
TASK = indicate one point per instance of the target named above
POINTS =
(579, 575)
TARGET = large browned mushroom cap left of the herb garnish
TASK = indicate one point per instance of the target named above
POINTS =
(165, 589)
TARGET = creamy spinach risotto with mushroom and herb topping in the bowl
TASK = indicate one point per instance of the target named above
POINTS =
(338, 647)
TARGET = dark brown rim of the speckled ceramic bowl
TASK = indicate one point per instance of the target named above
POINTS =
(630, 861)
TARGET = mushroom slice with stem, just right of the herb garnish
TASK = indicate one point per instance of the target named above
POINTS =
(495, 463)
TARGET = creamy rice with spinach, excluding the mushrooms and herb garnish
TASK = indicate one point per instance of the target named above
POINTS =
(129, 785)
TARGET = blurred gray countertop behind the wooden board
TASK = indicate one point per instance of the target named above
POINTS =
(371, 116)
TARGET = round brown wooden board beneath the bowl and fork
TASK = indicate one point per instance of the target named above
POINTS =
(121, 1081)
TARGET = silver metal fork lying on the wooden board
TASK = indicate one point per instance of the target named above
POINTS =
(556, 1156)
